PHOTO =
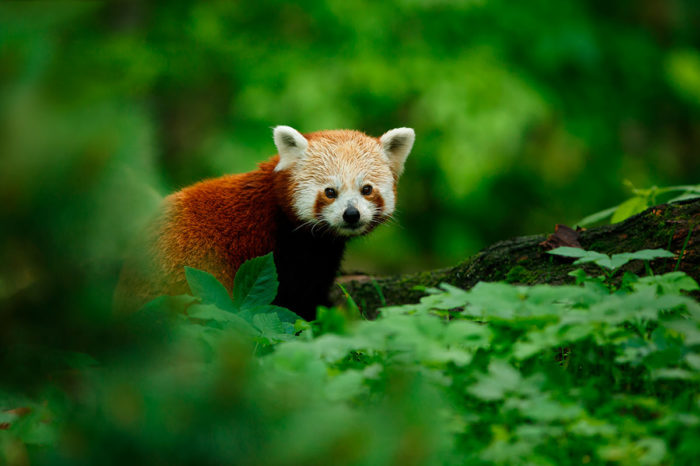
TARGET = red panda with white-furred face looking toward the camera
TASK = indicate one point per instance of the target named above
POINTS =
(302, 205)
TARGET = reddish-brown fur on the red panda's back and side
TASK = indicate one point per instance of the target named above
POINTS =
(214, 225)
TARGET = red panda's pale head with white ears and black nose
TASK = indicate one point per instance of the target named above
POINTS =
(342, 180)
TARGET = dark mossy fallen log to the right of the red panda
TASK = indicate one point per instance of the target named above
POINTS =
(523, 260)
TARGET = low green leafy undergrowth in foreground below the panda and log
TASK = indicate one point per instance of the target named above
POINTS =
(498, 374)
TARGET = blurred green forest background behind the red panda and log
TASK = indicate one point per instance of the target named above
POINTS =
(526, 114)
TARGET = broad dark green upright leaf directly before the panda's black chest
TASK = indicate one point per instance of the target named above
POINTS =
(255, 283)
